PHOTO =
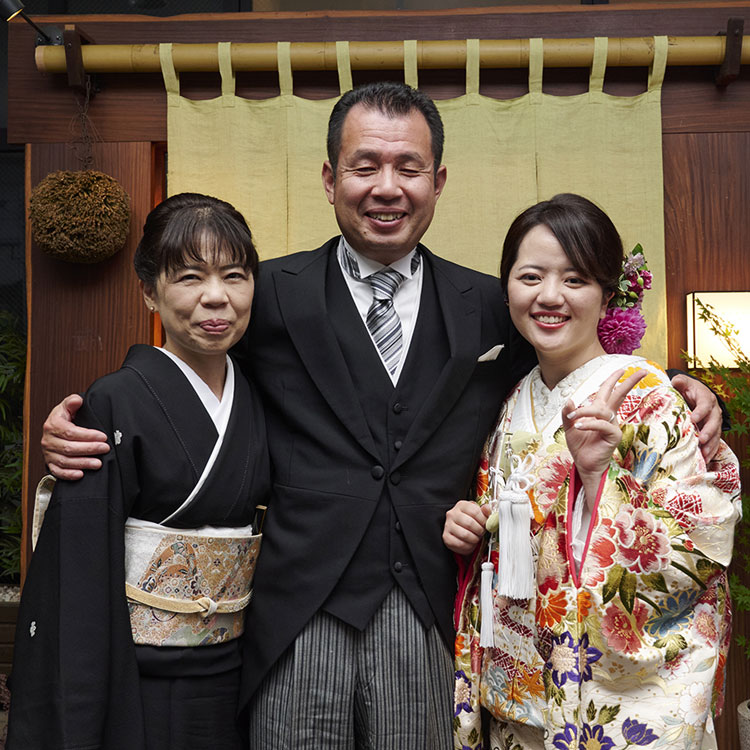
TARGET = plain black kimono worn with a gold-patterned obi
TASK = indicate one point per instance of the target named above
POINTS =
(78, 679)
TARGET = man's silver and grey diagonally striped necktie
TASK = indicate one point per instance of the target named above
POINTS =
(382, 319)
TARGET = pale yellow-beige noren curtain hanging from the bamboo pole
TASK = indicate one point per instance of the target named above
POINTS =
(265, 157)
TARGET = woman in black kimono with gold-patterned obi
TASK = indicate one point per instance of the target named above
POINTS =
(169, 518)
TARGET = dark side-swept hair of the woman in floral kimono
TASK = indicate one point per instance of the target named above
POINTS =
(584, 231)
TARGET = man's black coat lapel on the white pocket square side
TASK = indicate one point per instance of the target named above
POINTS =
(460, 305)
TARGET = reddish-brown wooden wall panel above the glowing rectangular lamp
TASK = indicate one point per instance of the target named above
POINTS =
(706, 221)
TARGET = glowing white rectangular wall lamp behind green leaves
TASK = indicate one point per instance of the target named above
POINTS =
(703, 344)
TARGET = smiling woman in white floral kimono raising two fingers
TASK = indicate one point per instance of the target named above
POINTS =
(594, 612)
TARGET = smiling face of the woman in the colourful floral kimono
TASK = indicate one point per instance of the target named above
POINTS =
(554, 307)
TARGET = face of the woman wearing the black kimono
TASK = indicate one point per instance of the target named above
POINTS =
(204, 307)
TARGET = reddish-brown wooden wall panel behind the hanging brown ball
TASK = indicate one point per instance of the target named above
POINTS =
(82, 318)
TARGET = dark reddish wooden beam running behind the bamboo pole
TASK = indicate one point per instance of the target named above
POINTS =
(132, 108)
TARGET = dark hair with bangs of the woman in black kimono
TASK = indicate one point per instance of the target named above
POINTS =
(192, 228)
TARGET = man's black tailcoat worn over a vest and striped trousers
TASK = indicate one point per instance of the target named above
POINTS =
(328, 474)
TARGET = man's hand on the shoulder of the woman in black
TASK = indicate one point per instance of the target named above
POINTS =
(67, 448)
